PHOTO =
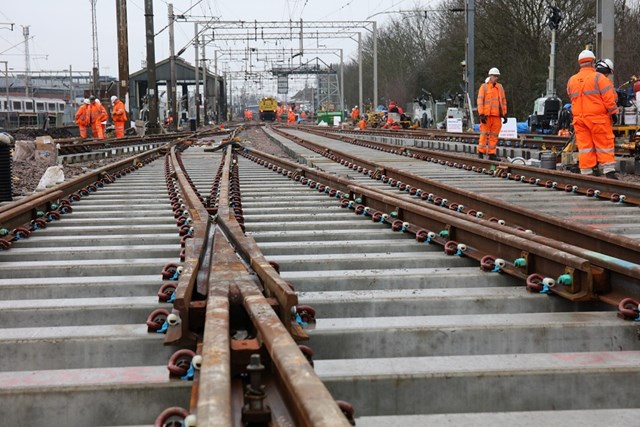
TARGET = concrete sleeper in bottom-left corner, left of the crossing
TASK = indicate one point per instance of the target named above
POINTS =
(90, 397)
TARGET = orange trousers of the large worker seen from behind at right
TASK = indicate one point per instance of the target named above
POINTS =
(595, 140)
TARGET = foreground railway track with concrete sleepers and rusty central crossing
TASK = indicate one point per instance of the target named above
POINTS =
(396, 327)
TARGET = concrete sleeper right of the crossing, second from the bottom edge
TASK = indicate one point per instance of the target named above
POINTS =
(487, 383)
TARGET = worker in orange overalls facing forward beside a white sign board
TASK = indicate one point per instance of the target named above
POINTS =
(492, 109)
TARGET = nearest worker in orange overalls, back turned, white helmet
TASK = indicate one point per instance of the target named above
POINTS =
(594, 109)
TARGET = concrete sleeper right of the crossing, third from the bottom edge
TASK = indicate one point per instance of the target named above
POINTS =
(430, 335)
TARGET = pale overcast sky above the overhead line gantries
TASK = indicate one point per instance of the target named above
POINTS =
(61, 35)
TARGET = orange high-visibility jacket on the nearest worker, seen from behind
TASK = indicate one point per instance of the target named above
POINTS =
(591, 94)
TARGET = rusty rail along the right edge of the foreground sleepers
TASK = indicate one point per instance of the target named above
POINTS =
(545, 255)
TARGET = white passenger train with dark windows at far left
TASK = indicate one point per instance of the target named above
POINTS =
(20, 111)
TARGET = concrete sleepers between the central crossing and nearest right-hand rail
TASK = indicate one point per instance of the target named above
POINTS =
(403, 329)
